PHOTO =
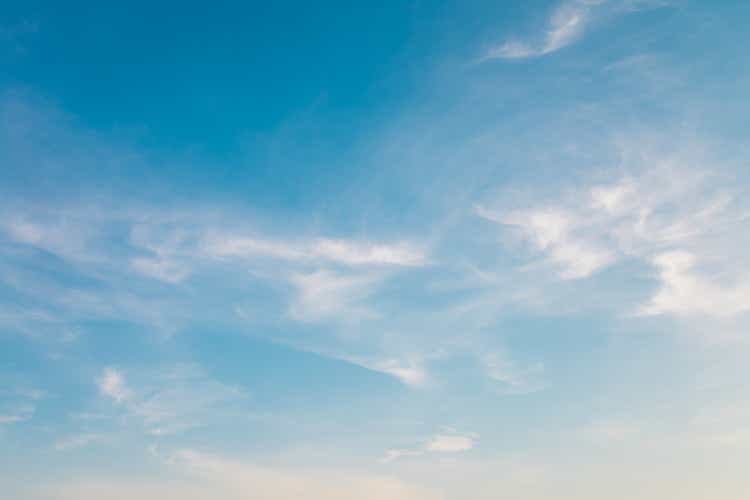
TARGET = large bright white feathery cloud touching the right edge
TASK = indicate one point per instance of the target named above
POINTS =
(677, 220)
